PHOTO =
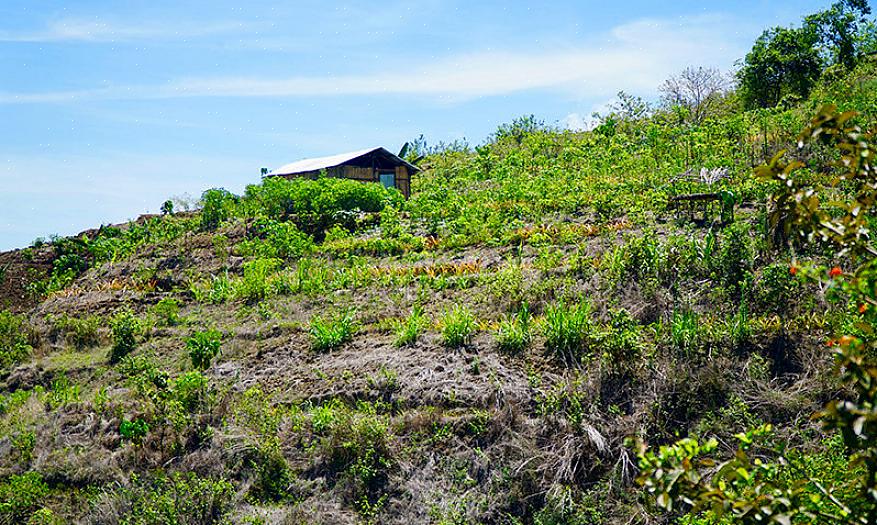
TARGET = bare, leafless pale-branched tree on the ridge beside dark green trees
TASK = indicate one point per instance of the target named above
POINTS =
(697, 90)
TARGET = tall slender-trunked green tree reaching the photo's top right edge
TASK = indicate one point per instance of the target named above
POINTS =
(839, 29)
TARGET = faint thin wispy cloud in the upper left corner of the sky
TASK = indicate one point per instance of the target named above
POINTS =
(107, 31)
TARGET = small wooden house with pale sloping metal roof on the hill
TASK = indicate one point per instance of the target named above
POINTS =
(368, 165)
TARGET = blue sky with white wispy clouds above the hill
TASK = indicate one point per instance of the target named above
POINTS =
(109, 108)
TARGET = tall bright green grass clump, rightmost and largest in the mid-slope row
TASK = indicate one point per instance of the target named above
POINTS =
(567, 330)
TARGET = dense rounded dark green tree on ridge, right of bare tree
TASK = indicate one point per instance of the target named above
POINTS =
(782, 62)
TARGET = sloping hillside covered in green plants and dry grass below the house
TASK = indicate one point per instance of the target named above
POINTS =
(327, 352)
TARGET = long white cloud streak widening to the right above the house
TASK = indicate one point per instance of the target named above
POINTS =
(635, 56)
